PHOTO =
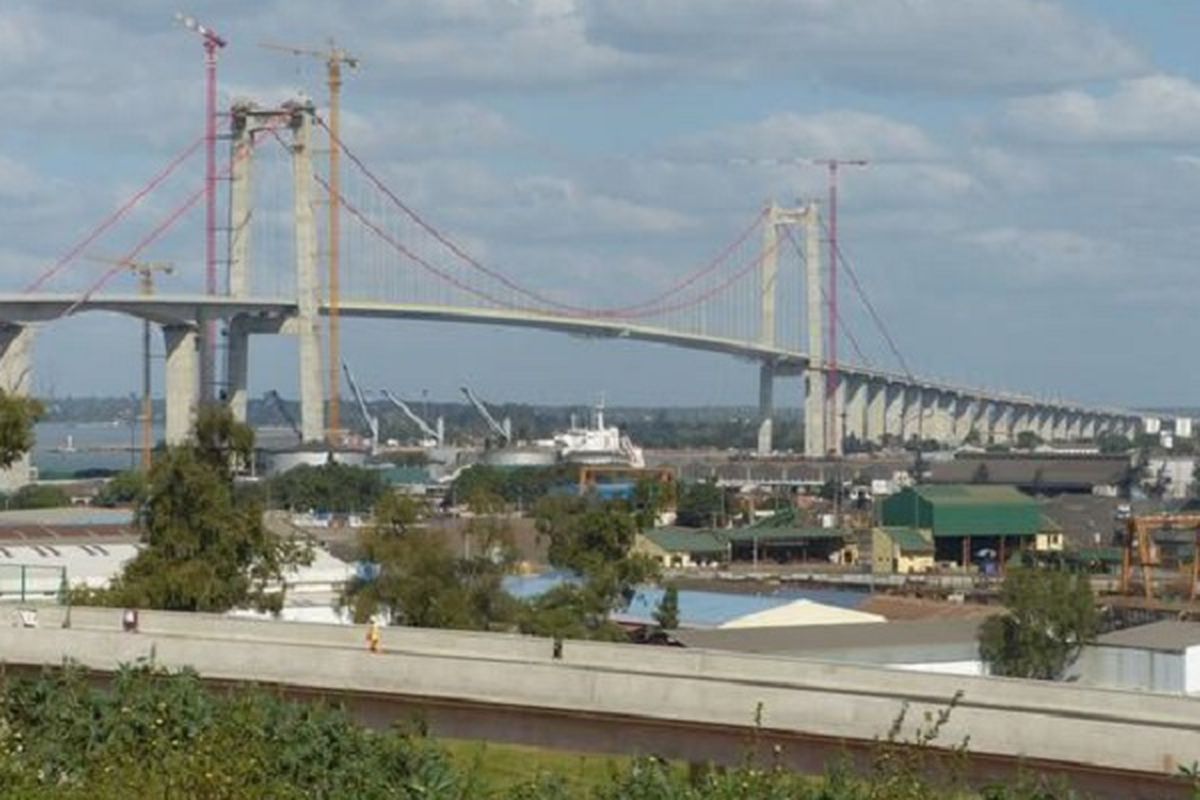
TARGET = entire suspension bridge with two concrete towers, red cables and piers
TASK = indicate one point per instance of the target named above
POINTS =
(761, 298)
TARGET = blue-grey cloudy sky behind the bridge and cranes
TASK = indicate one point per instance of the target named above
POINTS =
(1027, 220)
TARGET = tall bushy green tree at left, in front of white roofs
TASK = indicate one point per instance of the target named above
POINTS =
(203, 551)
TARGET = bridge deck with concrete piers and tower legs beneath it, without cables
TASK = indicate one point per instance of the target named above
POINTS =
(873, 405)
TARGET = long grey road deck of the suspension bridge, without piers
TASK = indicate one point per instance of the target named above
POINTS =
(185, 310)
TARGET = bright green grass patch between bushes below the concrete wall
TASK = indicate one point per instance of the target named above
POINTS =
(506, 766)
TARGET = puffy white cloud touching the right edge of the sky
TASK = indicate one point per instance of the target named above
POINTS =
(1155, 110)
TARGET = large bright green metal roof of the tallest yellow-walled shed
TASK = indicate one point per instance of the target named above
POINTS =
(964, 510)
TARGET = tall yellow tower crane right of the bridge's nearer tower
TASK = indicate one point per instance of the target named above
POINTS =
(334, 58)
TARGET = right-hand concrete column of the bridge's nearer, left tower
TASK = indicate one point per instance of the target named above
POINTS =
(313, 395)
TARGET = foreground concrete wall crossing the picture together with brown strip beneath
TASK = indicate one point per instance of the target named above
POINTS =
(688, 705)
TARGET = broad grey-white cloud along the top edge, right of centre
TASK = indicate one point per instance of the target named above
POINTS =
(874, 44)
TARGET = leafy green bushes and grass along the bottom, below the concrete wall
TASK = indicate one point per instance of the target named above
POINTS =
(154, 735)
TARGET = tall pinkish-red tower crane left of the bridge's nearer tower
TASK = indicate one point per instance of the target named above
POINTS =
(213, 43)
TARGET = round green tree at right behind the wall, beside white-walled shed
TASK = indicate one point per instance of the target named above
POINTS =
(1049, 616)
